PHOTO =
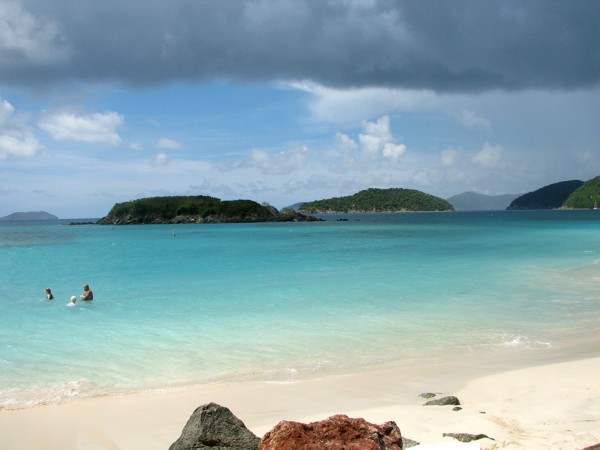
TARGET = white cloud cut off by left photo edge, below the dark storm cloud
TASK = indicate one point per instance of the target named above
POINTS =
(16, 139)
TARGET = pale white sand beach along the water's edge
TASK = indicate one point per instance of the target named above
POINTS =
(554, 406)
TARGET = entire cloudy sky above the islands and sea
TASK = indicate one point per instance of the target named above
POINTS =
(285, 101)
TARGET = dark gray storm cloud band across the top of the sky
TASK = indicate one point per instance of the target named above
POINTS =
(447, 46)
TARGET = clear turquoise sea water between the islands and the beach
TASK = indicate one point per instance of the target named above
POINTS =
(187, 304)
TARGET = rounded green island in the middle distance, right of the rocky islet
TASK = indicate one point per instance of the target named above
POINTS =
(378, 200)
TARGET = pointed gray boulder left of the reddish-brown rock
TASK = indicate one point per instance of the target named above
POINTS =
(214, 427)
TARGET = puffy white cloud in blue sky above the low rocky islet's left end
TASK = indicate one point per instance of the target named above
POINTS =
(99, 128)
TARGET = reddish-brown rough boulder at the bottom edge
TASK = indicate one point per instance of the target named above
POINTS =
(338, 432)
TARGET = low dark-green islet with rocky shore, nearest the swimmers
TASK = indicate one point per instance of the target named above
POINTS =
(196, 209)
